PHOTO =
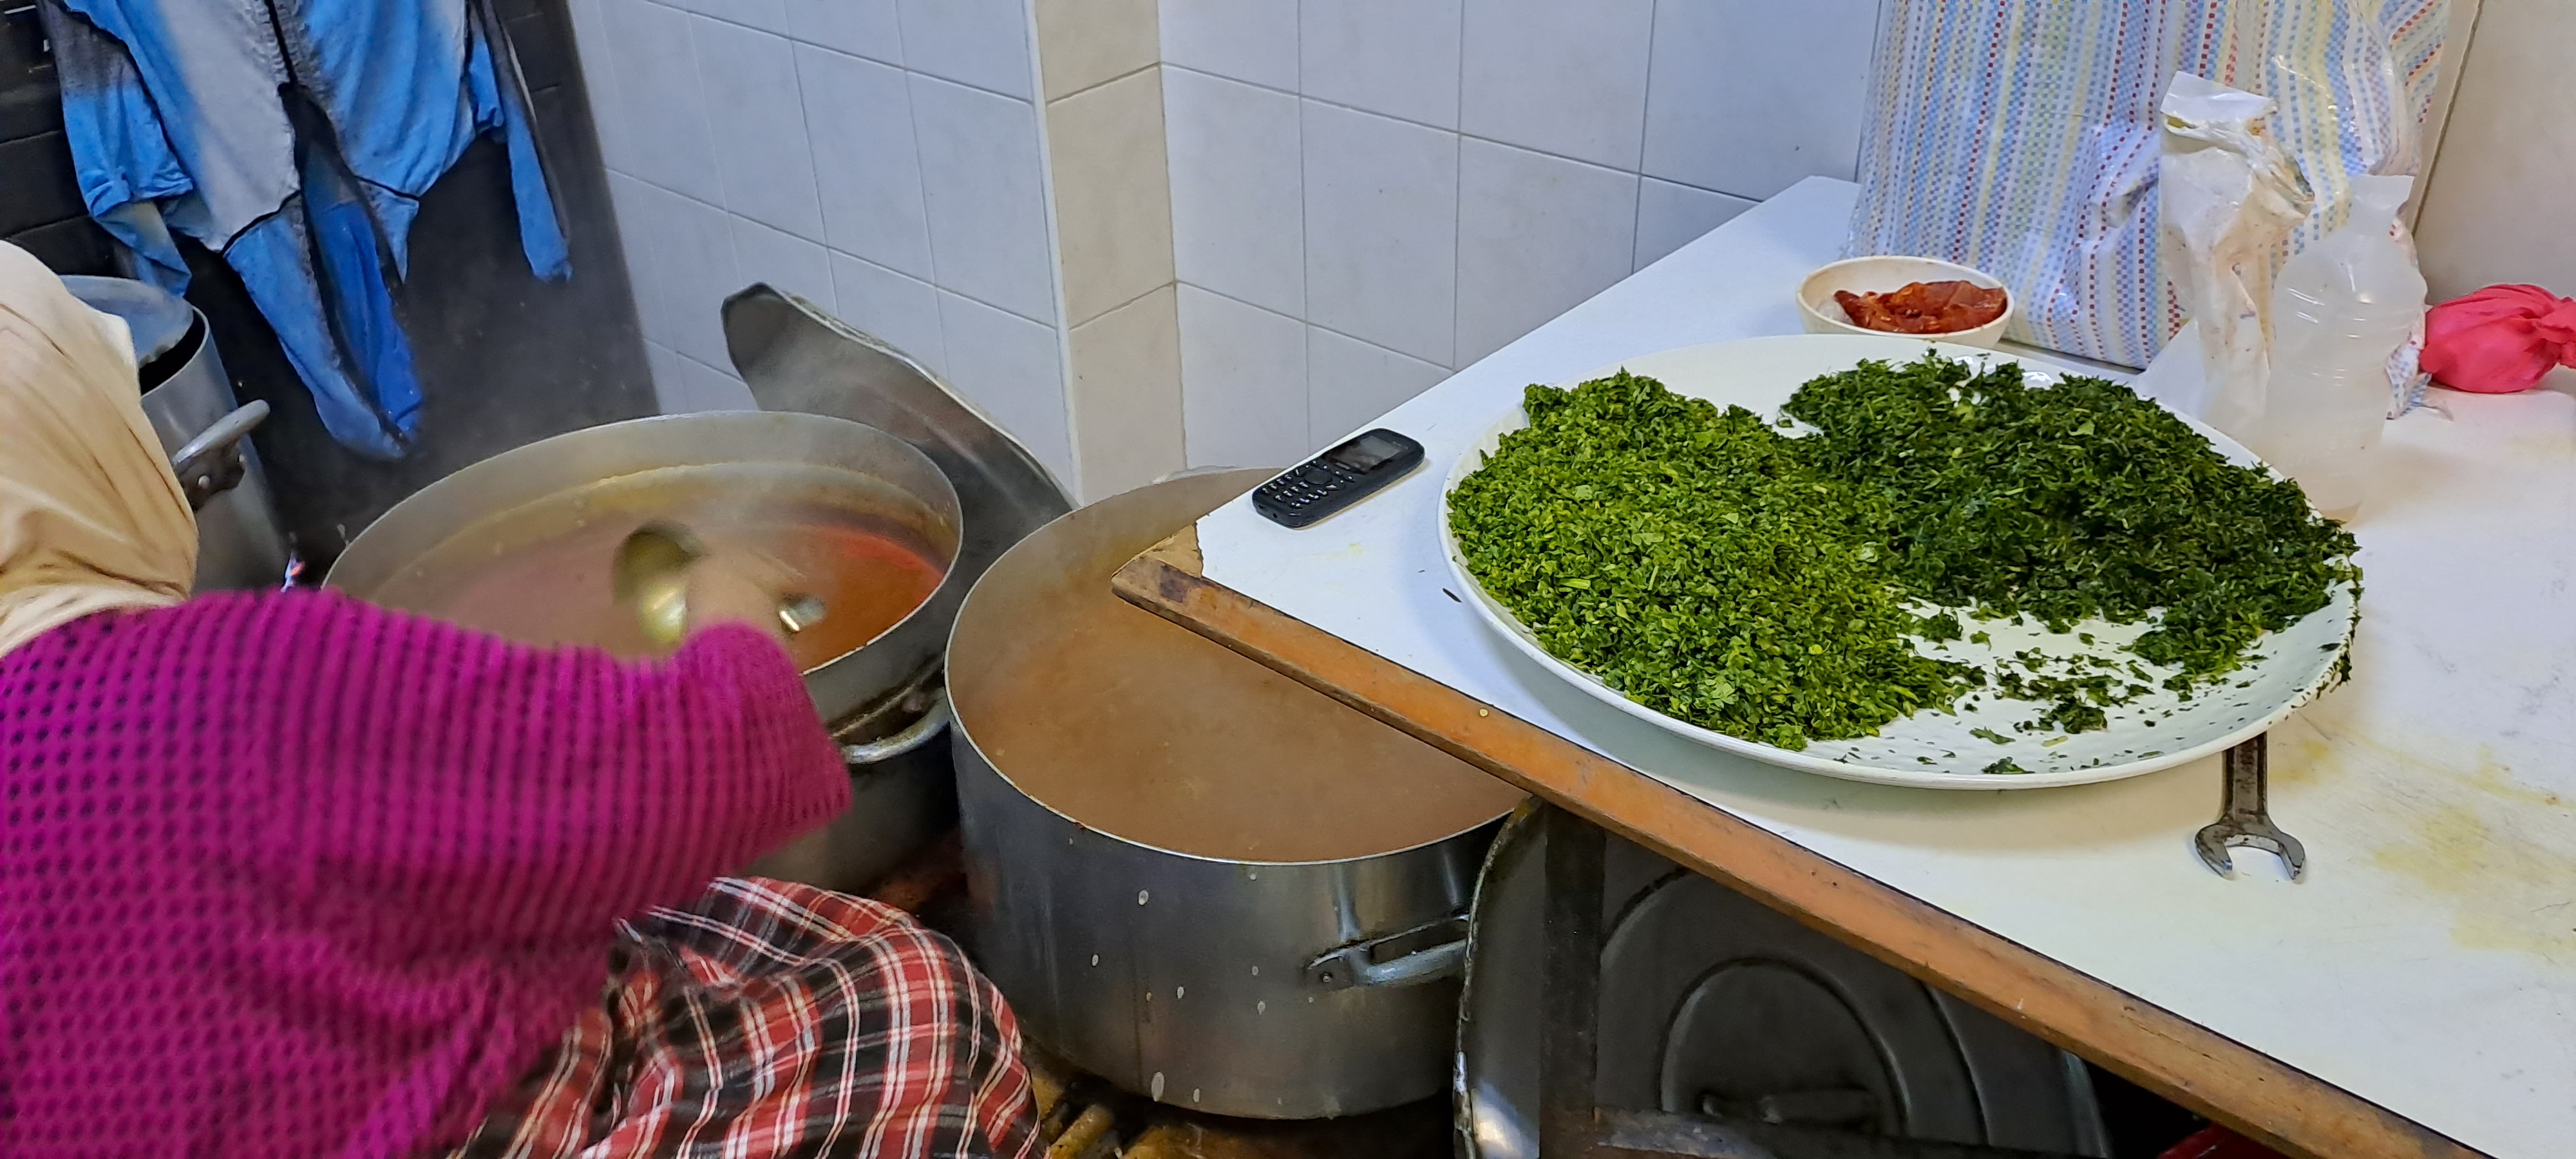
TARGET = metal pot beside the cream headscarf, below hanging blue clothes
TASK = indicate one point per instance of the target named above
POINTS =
(202, 429)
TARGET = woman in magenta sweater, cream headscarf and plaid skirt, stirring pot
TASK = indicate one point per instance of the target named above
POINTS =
(298, 877)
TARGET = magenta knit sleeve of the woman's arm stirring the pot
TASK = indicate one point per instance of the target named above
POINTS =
(535, 795)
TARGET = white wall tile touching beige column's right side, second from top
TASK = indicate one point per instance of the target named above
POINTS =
(1238, 194)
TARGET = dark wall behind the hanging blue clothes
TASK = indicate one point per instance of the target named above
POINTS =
(504, 359)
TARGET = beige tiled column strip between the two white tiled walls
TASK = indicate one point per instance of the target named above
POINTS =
(1101, 76)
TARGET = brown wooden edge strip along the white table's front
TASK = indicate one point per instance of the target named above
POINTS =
(2157, 1050)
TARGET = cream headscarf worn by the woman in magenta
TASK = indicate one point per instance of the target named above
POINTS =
(91, 516)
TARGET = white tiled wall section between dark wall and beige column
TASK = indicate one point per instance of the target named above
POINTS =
(880, 158)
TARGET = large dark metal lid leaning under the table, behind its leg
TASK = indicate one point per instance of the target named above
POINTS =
(1719, 1006)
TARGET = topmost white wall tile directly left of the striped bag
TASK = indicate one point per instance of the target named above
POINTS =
(1748, 97)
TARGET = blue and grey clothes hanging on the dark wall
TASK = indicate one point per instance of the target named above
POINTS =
(298, 138)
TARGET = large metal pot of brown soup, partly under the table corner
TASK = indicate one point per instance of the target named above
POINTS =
(1245, 988)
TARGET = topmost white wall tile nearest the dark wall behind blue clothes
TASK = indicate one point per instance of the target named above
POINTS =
(661, 97)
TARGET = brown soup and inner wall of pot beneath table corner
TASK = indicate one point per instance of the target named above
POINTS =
(1160, 738)
